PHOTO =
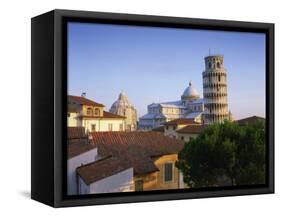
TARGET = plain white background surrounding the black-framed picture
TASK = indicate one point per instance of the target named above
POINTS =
(15, 87)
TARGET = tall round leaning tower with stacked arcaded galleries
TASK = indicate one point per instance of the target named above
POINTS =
(215, 90)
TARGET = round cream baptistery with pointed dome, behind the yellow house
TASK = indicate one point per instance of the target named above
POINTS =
(123, 107)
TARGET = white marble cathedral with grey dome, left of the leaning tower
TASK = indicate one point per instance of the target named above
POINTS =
(190, 106)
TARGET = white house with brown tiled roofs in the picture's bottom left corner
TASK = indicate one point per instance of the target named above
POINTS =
(82, 157)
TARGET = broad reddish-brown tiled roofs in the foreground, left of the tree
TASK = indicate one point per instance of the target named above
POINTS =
(122, 150)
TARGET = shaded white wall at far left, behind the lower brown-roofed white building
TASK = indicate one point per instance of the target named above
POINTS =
(73, 163)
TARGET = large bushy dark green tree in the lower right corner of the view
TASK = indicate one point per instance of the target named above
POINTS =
(225, 154)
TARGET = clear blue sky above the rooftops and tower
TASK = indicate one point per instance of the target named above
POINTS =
(152, 64)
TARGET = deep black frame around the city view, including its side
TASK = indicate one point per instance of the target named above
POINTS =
(49, 97)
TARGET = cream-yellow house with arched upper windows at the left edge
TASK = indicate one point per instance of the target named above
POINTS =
(91, 115)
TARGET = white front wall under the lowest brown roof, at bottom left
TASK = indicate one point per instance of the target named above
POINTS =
(119, 182)
